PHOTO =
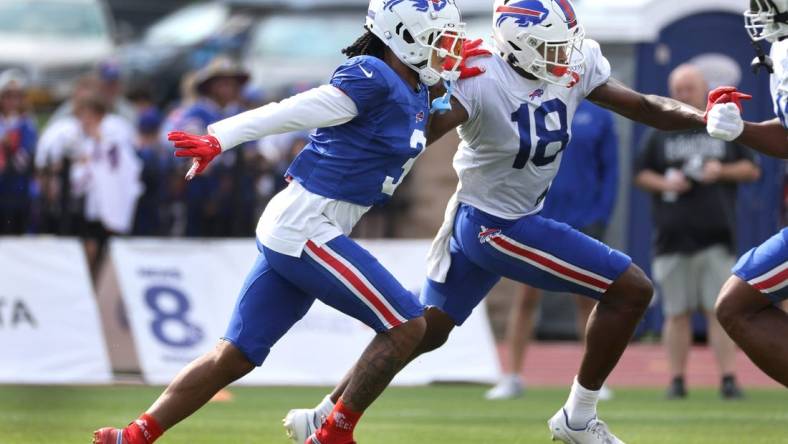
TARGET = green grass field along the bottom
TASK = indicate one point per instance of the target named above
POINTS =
(434, 415)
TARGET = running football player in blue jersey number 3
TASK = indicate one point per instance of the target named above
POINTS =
(371, 122)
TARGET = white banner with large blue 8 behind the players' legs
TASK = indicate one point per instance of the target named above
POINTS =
(180, 294)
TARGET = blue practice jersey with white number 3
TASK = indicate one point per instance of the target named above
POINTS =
(364, 160)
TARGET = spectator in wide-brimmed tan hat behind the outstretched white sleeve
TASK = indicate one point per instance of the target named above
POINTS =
(221, 201)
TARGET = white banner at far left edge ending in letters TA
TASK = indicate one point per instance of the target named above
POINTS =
(49, 325)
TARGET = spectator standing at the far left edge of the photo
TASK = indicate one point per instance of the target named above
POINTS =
(17, 142)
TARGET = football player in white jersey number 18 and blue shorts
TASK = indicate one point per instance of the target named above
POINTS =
(514, 122)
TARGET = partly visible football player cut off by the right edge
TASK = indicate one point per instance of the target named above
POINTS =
(746, 306)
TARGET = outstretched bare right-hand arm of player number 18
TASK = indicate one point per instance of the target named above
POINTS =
(659, 112)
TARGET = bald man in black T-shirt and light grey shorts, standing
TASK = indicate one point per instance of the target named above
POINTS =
(692, 178)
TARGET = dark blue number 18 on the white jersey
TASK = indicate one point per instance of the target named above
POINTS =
(544, 136)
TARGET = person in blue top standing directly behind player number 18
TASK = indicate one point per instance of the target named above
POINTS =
(582, 195)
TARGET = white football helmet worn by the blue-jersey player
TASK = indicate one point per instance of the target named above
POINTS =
(422, 34)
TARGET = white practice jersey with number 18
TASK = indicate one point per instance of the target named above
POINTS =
(517, 129)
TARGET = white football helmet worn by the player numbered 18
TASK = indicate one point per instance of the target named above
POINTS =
(542, 37)
